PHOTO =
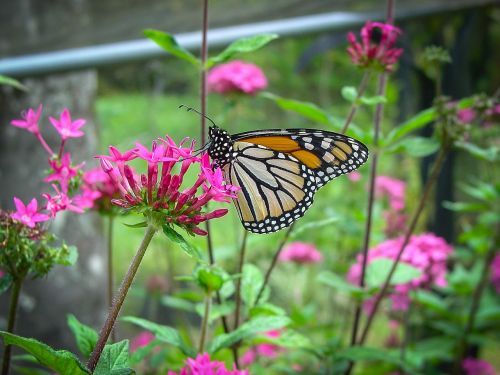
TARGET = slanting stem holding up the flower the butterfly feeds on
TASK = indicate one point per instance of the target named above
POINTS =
(119, 298)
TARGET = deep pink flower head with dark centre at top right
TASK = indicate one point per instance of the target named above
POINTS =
(376, 49)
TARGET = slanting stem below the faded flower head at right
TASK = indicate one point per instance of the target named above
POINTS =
(436, 169)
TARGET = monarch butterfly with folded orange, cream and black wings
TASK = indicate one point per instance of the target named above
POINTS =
(279, 171)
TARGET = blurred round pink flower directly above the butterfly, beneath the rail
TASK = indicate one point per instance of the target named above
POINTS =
(236, 76)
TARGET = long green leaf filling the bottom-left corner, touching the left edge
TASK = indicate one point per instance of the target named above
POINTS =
(60, 361)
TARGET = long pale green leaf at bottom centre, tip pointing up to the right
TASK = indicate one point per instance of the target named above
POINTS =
(247, 330)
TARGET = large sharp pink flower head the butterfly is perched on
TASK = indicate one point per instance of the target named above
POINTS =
(159, 190)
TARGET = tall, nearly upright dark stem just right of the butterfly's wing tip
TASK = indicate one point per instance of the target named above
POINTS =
(371, 200)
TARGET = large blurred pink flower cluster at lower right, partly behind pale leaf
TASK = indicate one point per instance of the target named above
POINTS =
(426, 251)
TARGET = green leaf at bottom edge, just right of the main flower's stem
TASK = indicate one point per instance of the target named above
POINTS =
(114, 360)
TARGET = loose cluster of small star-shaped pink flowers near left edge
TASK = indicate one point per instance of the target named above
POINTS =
(64, 177)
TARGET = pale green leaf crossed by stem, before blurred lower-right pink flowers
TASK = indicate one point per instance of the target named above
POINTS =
(377, 271)
